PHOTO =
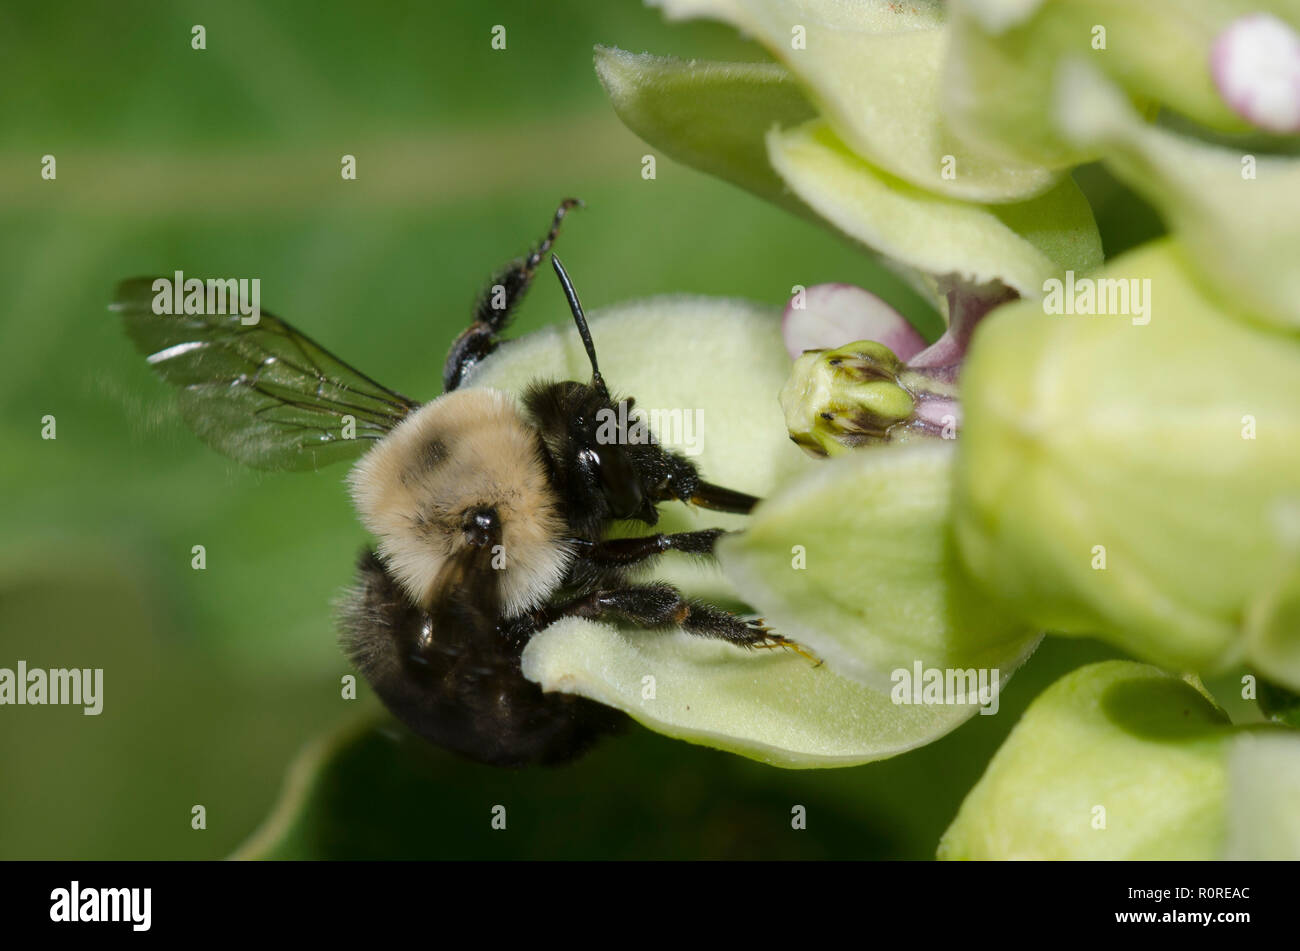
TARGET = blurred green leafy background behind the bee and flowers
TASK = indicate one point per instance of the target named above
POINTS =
(227, 162)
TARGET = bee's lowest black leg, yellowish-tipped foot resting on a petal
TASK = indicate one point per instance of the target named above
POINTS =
(662, 606)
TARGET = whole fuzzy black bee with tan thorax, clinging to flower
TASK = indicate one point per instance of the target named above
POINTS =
(491, 513)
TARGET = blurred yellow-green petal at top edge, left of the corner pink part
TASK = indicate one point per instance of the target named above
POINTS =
(1006, 57)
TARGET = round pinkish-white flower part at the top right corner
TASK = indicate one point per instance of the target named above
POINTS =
(1256, 67)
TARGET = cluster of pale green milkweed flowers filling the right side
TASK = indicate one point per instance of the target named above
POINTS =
(1129, 475)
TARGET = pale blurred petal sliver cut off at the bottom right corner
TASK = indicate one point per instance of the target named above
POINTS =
(1264, 797)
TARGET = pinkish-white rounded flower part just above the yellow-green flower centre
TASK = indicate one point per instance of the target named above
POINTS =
(829, 316)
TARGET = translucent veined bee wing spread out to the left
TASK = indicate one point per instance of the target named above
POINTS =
(263, 394)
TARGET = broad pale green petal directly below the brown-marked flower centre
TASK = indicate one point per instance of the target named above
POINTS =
(857, 563)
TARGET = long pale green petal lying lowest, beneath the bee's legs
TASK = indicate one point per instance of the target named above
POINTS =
(774, 707)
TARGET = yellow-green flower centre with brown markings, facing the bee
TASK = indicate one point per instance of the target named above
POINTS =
(839, 399)
